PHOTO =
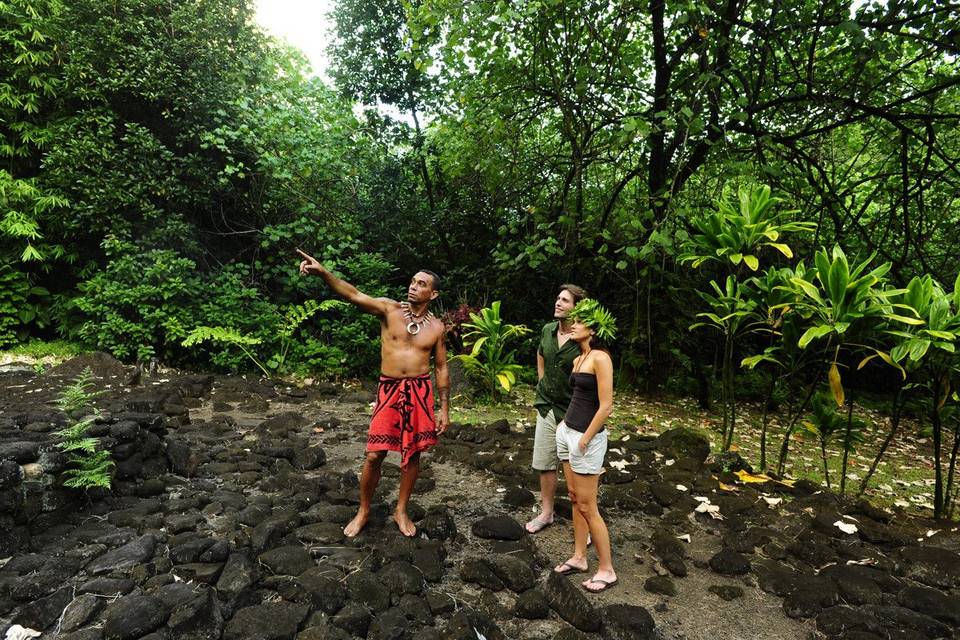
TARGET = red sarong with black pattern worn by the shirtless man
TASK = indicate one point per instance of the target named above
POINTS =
(403, 418)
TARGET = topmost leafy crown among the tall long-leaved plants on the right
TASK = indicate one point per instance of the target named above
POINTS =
(735, 235)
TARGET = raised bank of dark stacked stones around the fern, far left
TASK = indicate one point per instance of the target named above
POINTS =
(132, 424)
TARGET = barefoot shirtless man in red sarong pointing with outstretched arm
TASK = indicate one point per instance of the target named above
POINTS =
(403, 419)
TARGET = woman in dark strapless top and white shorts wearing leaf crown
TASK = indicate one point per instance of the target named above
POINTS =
(582, 443)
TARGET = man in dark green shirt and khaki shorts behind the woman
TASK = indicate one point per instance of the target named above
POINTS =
(555, 357)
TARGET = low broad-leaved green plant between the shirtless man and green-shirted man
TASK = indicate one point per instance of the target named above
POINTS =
(490, 359)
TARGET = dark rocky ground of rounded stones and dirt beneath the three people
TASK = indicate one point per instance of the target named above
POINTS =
(225, 522)
